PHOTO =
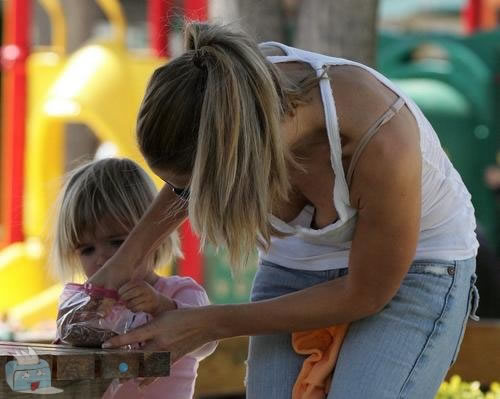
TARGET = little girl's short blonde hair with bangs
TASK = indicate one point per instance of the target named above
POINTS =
(111, 190)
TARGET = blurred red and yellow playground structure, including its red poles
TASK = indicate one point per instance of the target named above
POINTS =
(100, 85)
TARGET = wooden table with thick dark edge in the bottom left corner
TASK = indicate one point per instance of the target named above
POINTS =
(80, 372)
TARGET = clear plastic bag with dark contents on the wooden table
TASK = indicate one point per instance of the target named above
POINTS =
(89, 315)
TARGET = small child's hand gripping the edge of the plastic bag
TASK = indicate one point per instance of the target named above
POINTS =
(139, 296)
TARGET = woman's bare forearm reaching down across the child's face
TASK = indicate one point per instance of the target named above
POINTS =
(160, 220)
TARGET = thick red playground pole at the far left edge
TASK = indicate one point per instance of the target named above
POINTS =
(15, 51)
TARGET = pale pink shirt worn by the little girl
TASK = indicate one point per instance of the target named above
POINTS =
(180, 384)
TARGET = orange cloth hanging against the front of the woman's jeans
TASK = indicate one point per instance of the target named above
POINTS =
(323, 347)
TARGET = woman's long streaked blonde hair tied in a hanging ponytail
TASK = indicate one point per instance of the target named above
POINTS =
(214, 113)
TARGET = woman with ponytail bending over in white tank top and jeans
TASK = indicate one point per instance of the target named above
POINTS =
(340, 181)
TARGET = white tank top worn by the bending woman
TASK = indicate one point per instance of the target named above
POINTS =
(447, 217)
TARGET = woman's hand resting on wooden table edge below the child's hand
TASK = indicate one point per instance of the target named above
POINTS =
(180, 332)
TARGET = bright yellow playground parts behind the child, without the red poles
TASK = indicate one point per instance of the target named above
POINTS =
(86, 87)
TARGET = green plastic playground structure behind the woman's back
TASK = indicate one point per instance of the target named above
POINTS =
(455, 82)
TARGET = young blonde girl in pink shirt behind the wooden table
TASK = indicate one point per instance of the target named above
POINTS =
(99, 205)
